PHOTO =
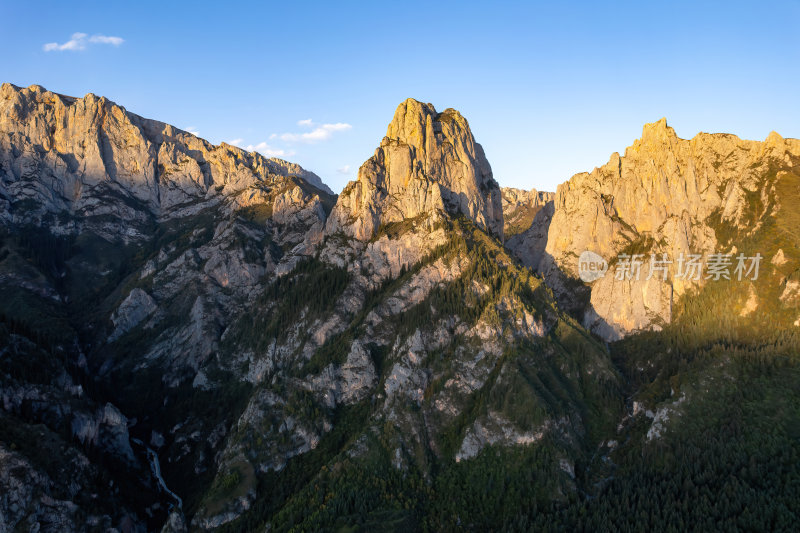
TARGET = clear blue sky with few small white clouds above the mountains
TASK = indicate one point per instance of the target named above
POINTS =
(549, 89)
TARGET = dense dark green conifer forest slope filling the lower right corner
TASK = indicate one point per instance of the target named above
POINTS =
(728, 461)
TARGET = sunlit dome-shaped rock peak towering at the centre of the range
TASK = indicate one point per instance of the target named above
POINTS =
(428, 163)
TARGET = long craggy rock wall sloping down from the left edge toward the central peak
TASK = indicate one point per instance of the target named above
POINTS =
(91, 158)
